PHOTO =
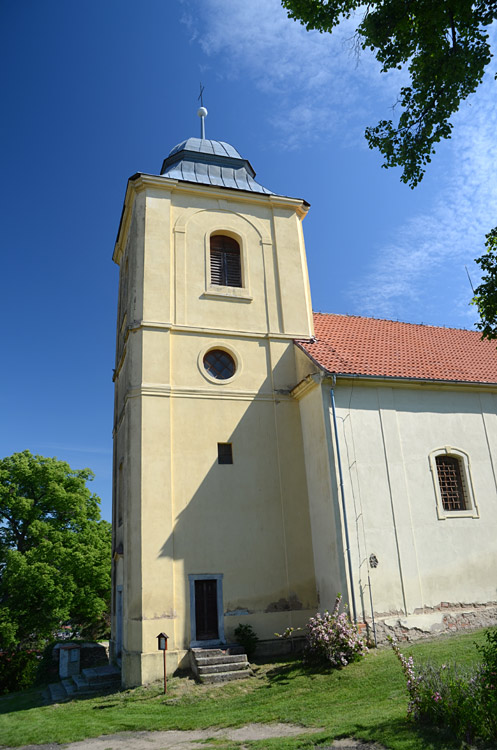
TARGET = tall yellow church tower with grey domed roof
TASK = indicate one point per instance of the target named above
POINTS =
(210, 512)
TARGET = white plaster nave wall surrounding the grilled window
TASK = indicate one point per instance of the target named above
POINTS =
(386, 436)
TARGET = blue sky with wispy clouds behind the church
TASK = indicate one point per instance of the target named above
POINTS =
(94, 92)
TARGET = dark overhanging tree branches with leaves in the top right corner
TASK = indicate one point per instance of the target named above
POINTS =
(443, 44)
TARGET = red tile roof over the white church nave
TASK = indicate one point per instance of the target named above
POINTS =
(384, 348)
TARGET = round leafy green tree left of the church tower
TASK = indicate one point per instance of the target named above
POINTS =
(55, 552)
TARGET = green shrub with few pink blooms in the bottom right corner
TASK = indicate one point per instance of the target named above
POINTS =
(461, 701)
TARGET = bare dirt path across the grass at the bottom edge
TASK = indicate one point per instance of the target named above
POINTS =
(177, 740)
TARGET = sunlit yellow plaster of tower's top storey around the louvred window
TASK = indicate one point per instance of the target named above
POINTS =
(275, 295)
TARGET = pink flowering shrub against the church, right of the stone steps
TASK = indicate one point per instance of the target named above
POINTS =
(333, 638)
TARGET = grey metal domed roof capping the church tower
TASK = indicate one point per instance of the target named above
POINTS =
(211, 163)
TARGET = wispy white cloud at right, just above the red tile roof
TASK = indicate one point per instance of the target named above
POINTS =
(433, 248)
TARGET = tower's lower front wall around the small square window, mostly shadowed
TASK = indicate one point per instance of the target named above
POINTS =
(247, 520)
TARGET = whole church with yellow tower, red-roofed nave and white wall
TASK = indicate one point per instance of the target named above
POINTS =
(267, 458)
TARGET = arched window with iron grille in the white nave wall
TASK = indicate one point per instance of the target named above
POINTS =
(453, 483)
